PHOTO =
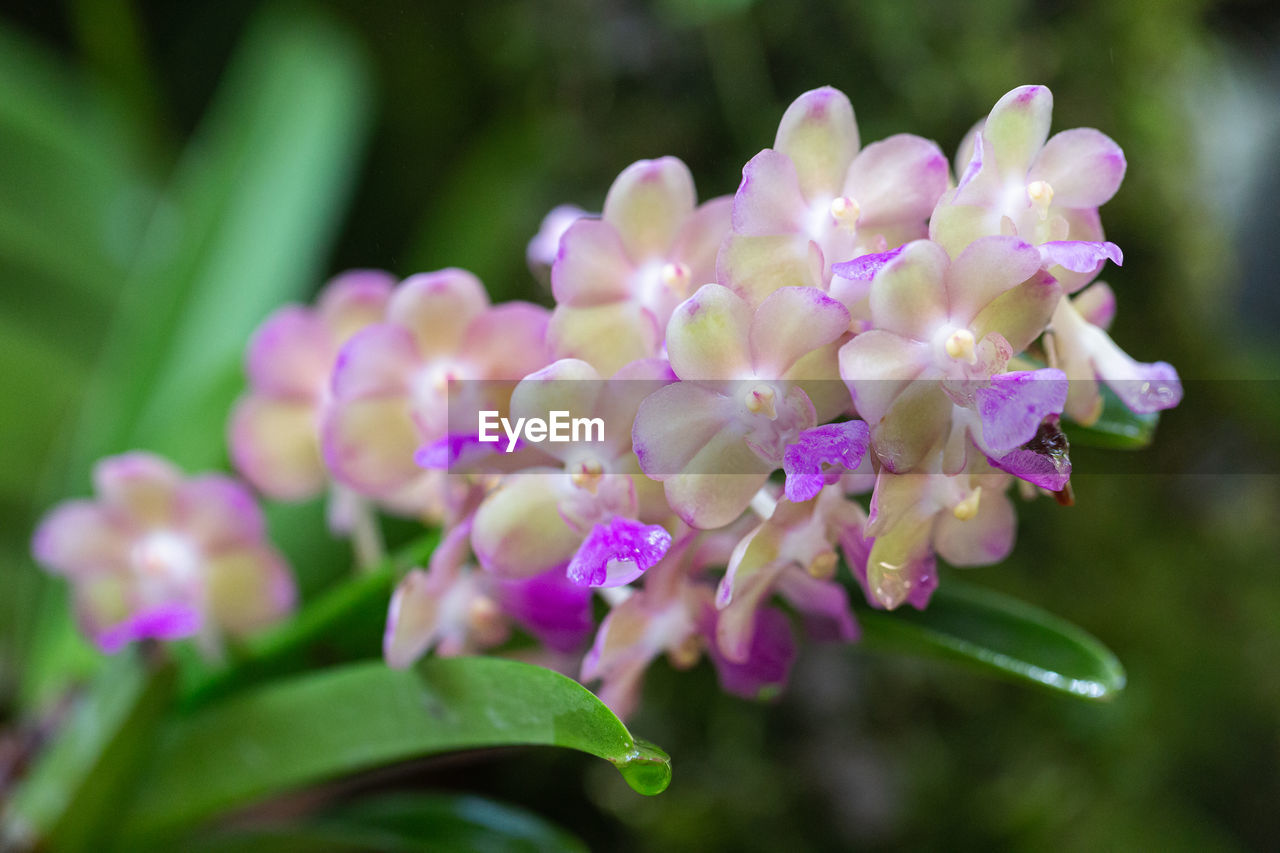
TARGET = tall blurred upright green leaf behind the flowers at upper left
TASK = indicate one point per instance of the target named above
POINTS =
(245, 227)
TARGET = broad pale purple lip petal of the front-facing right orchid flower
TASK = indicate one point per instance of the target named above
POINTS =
(1016, 404)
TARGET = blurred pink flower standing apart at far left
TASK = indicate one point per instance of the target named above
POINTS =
(163, 556)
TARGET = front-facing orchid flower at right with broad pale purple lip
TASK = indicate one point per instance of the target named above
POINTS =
(931, 376)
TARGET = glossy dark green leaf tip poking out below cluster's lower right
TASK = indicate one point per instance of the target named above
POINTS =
(1000, 635)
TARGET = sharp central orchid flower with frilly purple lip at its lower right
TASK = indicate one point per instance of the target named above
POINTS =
(753, 384)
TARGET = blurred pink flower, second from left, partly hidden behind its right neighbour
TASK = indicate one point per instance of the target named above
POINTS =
(275, 431)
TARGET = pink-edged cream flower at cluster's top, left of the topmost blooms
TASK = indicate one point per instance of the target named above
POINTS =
(618, 279)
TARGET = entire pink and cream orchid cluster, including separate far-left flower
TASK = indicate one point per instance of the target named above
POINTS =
(851, 321)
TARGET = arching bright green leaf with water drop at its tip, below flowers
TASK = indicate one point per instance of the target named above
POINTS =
(323, 726)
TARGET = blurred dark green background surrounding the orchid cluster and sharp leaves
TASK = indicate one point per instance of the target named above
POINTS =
(172, 172)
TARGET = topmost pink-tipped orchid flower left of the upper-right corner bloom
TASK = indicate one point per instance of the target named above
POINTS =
(815, 200)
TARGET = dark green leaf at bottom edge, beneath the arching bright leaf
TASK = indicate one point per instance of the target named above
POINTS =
(404, 823)
